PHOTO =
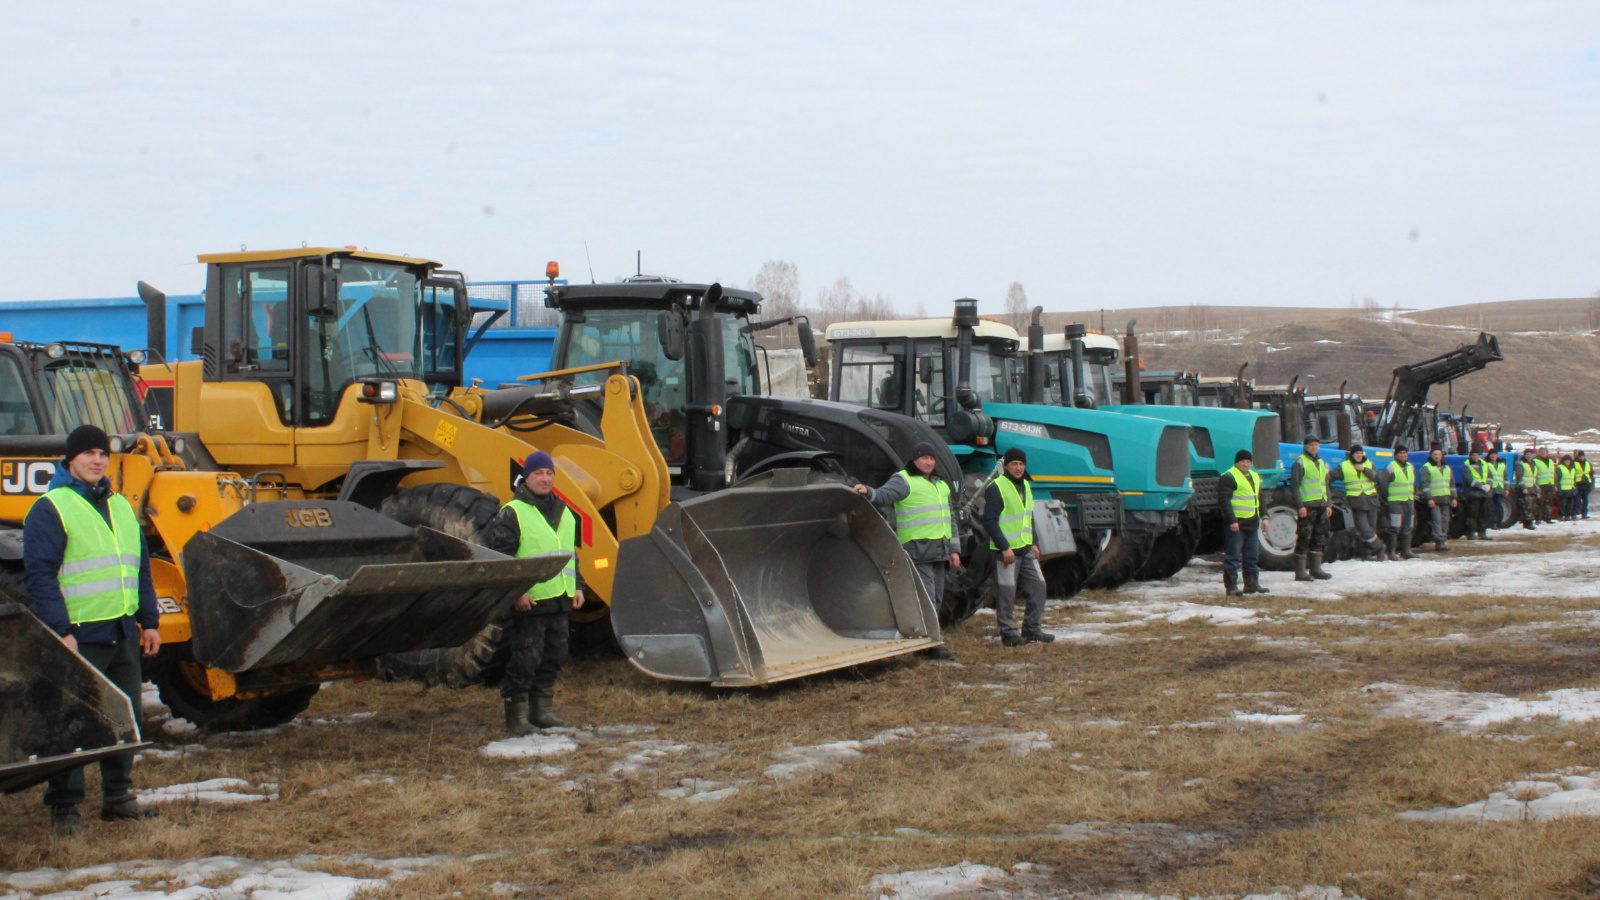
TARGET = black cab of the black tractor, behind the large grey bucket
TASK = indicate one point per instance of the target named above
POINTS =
(638, 321)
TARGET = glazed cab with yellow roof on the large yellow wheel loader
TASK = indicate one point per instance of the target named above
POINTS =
(311, 323)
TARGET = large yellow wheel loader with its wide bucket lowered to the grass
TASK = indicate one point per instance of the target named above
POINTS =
(337, 374)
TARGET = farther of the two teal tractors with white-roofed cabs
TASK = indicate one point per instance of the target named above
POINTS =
(1084, 368)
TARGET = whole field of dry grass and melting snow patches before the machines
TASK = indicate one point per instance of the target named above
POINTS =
(1407, 729)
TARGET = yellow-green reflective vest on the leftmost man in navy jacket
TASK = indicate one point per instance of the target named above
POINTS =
(100, 573)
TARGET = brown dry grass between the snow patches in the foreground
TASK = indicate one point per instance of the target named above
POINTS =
(1143, 742)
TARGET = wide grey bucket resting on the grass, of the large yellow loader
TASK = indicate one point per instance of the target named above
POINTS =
(756, 585)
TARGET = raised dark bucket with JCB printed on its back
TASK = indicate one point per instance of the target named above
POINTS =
(321, 582)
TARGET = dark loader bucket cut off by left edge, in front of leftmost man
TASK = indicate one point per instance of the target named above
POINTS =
(57, 712)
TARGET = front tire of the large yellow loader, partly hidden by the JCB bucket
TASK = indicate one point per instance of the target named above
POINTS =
(462, 513)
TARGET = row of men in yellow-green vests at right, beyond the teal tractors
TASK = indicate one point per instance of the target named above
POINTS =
(1542, 489)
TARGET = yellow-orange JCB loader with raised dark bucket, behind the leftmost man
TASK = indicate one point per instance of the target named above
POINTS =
(263, 595)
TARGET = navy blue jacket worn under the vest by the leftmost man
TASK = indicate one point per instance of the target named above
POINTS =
(44, 548)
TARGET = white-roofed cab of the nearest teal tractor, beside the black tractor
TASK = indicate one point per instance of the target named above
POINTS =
(911, 368)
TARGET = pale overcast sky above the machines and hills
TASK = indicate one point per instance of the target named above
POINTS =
(1103, 155)
